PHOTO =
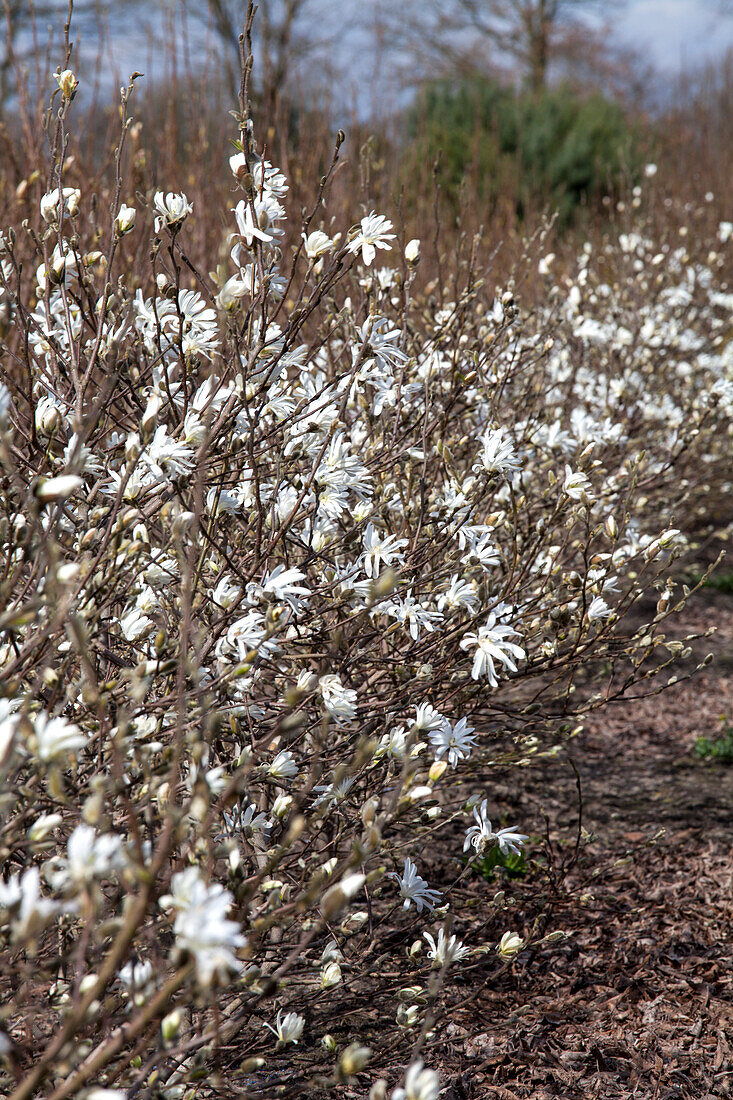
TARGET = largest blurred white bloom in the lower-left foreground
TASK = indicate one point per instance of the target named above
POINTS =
(201, 927)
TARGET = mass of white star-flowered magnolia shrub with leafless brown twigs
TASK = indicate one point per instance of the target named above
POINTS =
(292, 553)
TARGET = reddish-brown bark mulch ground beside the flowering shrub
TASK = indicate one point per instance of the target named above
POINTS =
(638, 1000)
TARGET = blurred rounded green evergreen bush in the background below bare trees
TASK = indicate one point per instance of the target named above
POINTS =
(557, 148)
